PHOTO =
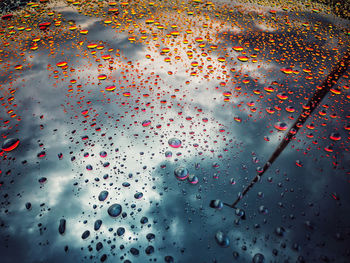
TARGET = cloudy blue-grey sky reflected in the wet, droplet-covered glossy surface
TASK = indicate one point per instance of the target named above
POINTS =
(178, 213)
